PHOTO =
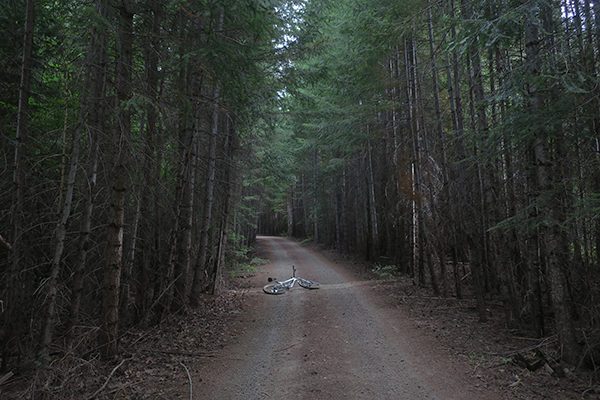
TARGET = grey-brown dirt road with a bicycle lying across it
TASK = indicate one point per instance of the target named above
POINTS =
(336, 342)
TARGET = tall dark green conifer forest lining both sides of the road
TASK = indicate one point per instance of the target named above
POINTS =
(145, 143)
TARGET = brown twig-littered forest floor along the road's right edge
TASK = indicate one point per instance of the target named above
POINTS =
(514, 363)
